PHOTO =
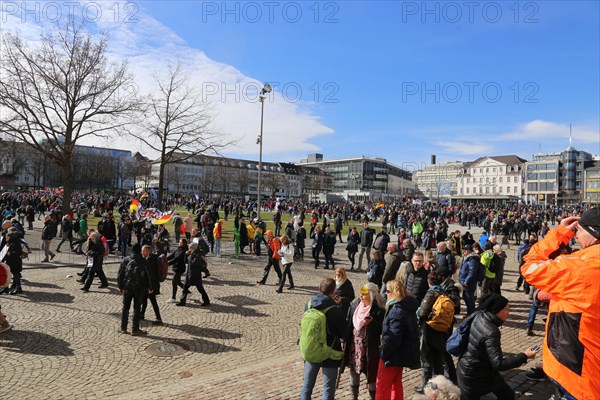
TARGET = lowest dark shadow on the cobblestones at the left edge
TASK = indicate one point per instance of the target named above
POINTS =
(30, 342)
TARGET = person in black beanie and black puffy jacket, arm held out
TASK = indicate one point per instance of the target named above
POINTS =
(479, 366)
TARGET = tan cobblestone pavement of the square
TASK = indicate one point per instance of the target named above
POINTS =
(65, 344)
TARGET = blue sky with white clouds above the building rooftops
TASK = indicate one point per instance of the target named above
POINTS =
(399, 80)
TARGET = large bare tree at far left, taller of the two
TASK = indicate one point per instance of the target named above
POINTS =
(62, 91)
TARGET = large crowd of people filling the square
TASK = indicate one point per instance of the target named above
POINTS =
(417, 283)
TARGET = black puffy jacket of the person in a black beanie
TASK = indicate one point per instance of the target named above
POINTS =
(481, 362)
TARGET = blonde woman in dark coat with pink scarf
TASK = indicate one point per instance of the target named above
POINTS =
(365, 318)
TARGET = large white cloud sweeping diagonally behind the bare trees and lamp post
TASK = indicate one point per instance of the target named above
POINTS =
(151, 47)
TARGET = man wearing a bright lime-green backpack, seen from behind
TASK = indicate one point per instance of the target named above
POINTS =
(319, 354)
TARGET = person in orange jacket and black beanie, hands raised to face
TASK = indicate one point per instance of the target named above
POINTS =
(572, 342)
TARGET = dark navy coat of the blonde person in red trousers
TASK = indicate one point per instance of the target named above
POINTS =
(400, 335)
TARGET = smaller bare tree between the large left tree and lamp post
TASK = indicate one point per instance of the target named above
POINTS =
(177, 124)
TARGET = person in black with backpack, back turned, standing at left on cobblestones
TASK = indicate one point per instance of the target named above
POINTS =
(133, 283)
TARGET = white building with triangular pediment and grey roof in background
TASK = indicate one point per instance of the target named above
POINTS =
(492, 180)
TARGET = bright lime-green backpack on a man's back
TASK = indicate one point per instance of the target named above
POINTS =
(313, 337)
